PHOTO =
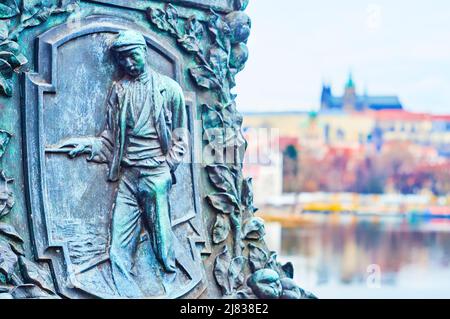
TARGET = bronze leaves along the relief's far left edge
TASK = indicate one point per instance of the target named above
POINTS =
(19, 277)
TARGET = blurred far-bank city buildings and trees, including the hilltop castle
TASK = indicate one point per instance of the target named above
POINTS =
(355, 144)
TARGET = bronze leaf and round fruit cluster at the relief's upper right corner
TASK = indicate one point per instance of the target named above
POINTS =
(219, 57)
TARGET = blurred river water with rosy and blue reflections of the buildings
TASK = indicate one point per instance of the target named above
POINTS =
(353, 257)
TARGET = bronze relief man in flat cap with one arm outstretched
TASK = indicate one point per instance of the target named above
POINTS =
(144, 141)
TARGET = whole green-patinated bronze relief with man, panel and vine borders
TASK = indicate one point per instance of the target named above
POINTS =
(160, 209)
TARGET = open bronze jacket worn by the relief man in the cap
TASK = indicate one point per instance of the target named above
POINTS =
(170, 119)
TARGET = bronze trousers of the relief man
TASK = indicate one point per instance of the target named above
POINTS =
(142, 201)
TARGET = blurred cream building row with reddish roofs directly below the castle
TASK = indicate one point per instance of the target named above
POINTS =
(318, 131)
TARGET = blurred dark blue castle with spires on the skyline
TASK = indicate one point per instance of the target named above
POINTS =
(353, 102)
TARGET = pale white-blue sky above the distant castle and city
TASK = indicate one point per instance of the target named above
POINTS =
(395, 47)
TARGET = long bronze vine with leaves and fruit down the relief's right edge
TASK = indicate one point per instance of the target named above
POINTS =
(220, 52)
